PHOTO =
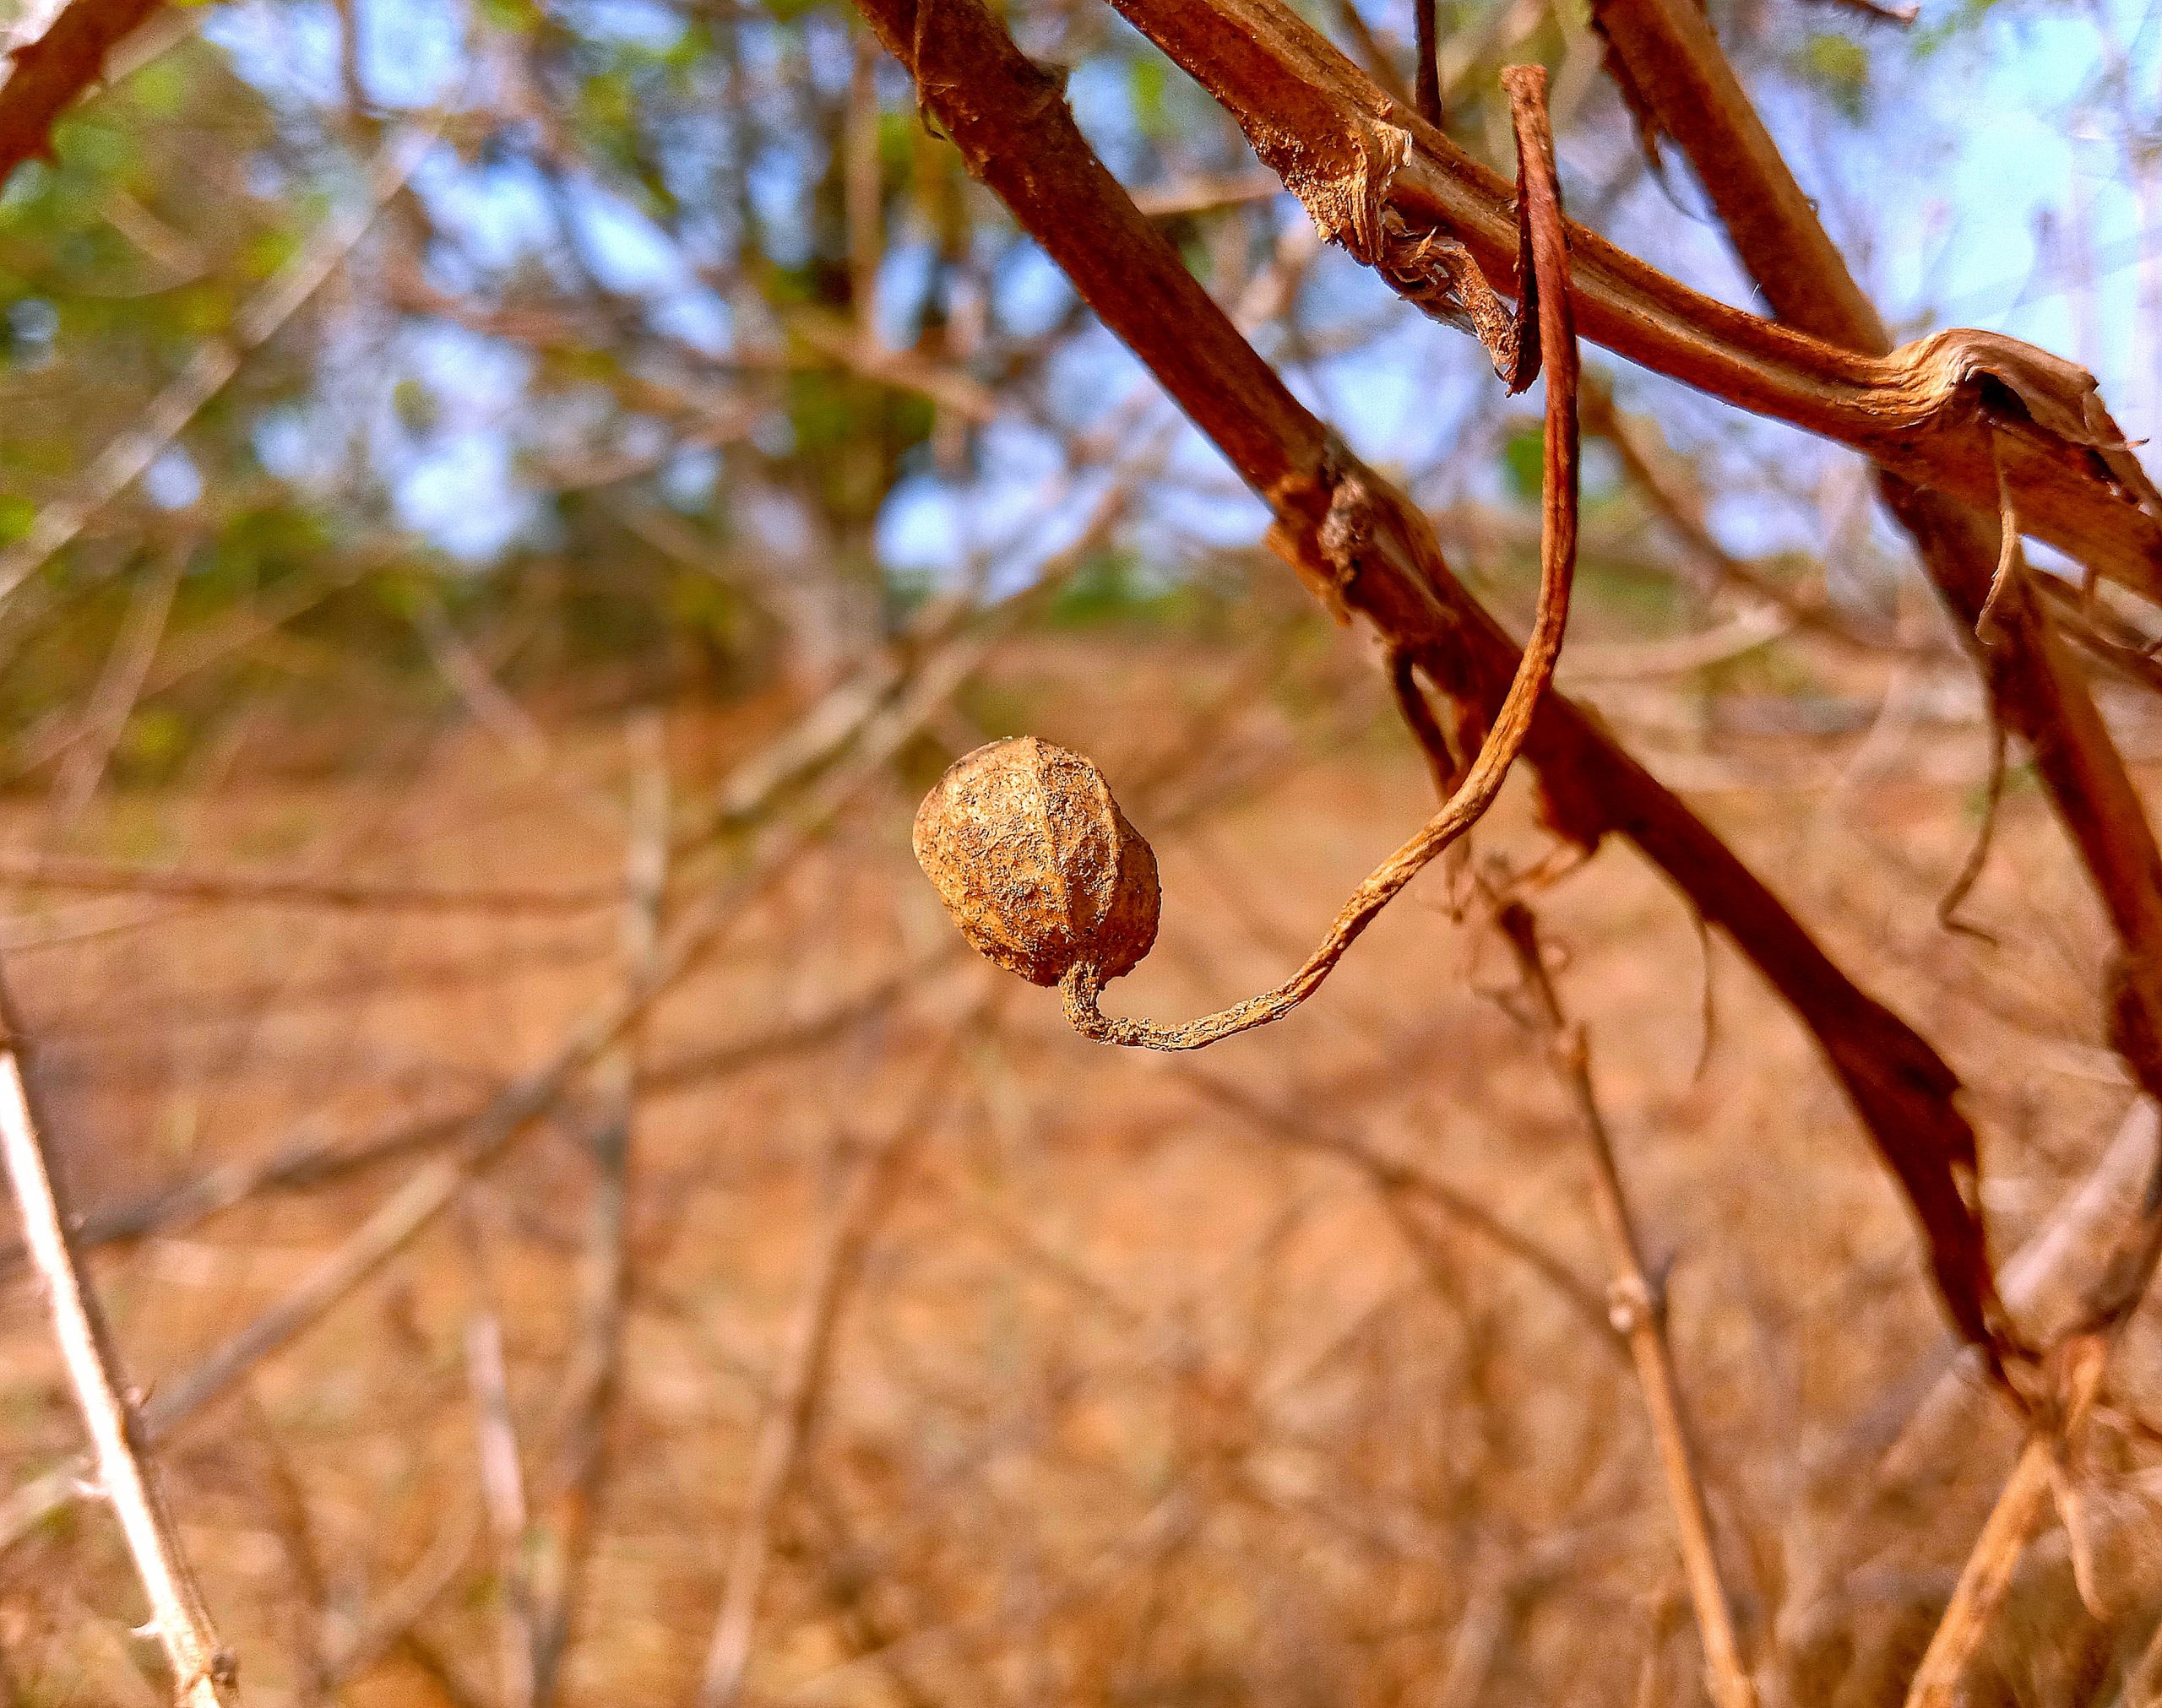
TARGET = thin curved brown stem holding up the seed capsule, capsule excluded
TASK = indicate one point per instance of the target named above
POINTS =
(1540, 196)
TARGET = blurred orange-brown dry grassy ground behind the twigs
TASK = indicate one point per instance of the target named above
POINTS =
(1153, 1383)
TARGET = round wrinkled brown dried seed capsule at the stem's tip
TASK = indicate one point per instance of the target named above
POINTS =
(1037, 864)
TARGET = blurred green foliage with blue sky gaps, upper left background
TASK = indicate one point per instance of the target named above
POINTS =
(617, 334)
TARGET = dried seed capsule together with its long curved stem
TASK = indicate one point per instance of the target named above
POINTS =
(1041, 868)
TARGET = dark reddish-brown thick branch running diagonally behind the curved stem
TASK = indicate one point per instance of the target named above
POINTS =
(1363, 548)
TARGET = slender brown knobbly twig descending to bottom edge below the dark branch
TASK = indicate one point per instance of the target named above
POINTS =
(1640, 1316)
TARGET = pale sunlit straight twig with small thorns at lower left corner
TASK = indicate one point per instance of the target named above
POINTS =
(204, 1672)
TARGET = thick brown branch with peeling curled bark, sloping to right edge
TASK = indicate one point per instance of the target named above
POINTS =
(1945, 412)
